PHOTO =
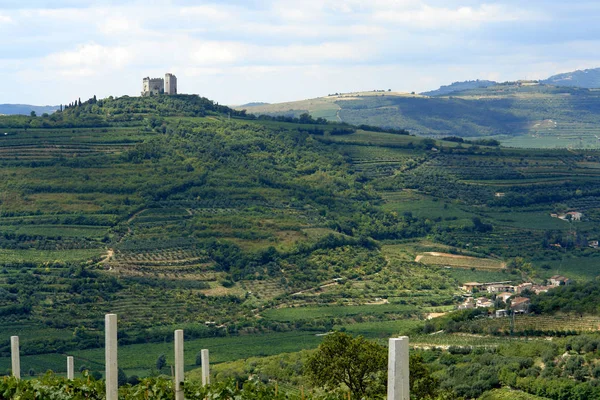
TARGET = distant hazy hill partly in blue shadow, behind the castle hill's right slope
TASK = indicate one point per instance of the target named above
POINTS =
(519, 114)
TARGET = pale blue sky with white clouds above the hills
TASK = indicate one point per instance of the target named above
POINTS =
(235, 52)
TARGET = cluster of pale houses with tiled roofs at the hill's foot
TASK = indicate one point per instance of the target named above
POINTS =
(508, 293)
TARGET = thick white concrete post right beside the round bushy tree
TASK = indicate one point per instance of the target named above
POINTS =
(398, 374)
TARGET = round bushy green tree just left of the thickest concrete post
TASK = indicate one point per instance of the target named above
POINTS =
(355, 362)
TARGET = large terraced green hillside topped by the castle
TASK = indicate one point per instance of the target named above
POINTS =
(174, 211)
